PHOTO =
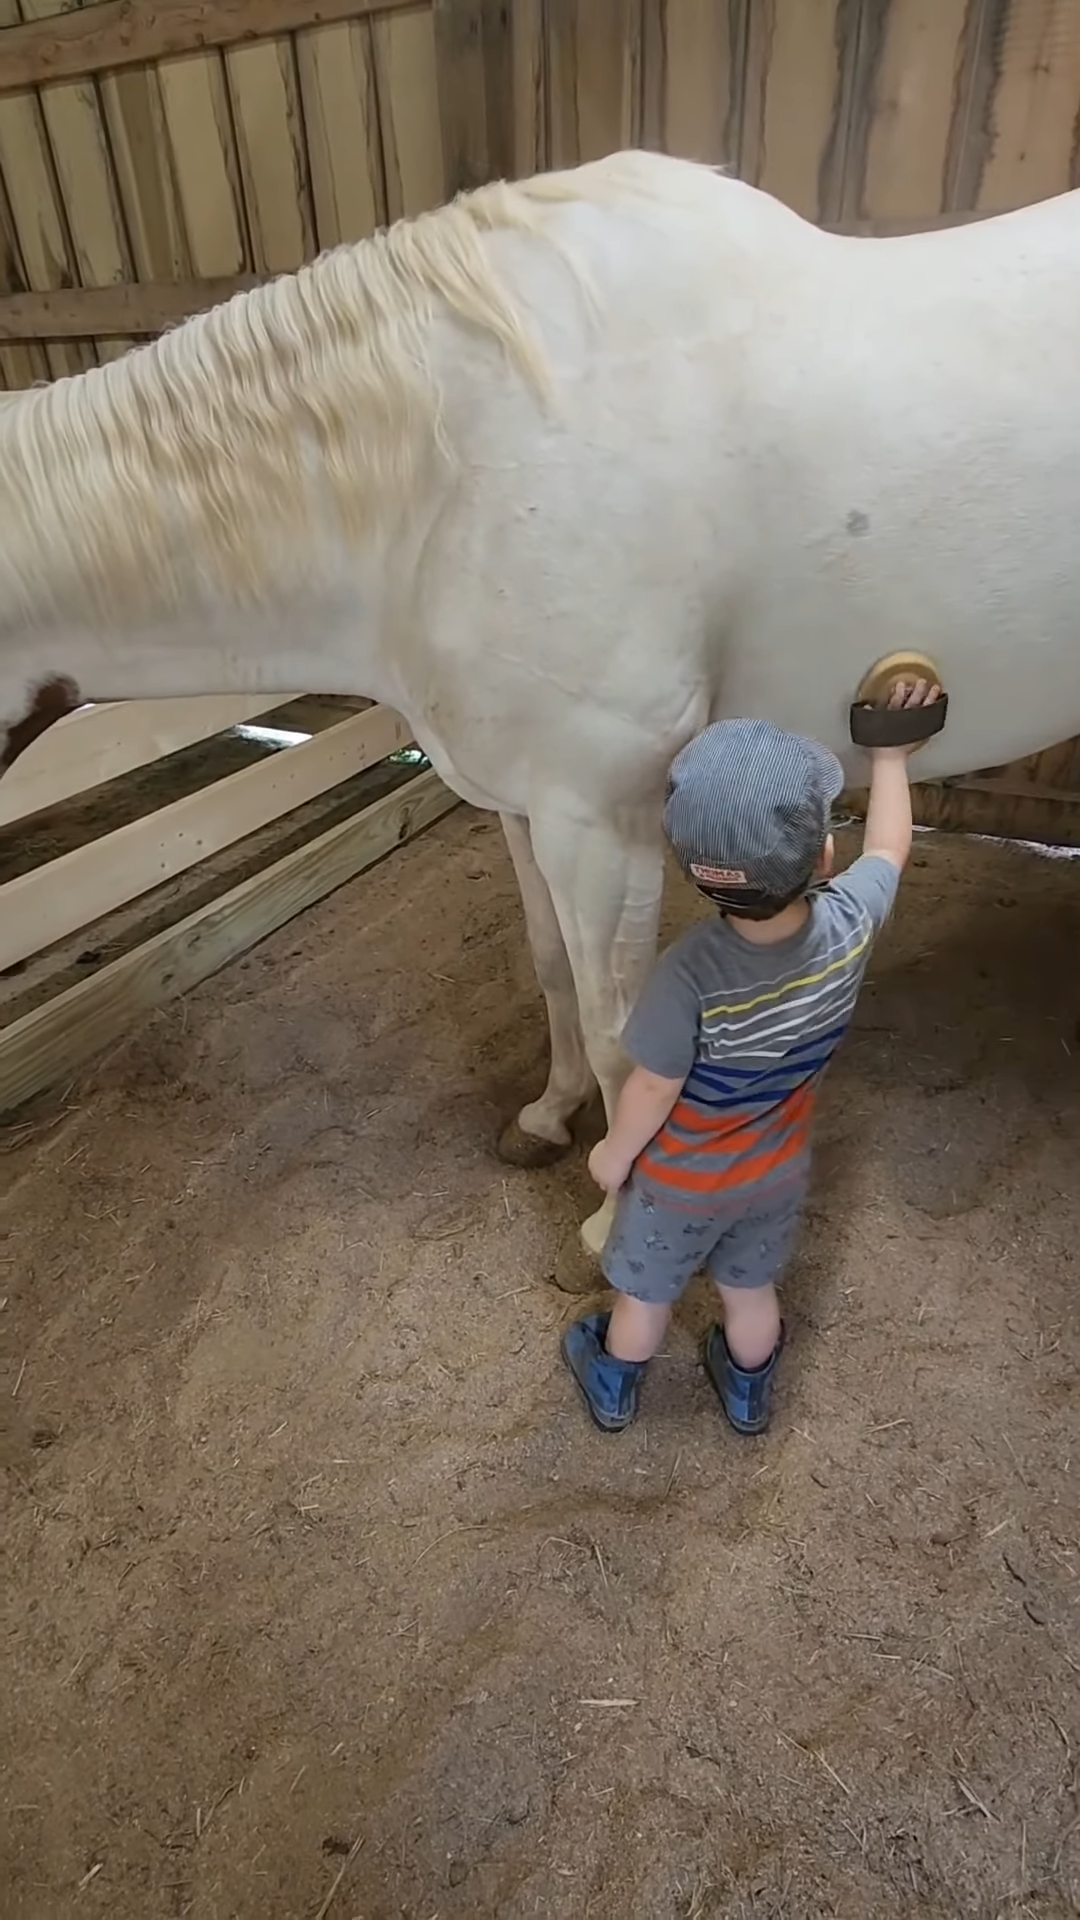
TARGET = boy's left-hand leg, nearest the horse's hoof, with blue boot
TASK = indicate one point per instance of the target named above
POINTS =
(649, 1259)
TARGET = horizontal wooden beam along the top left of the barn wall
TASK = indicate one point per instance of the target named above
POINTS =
(128, 34)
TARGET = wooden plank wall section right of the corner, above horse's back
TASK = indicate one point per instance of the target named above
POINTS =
(864, 114)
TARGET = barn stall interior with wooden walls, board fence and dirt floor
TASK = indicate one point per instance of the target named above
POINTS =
(322, 1596)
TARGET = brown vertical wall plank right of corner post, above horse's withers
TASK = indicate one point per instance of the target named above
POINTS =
(595, 60)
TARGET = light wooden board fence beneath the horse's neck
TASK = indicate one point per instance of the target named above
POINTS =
(49, 1019)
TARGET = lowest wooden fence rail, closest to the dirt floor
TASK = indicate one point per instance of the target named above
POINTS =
(49, 1044)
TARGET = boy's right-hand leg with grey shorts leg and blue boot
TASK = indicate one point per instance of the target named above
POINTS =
(743, 1355)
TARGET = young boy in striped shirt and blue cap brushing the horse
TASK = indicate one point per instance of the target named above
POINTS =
(710, 1143)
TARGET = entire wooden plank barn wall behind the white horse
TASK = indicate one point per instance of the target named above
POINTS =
(159, 156)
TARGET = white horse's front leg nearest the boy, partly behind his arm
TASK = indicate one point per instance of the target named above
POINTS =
(606, 888)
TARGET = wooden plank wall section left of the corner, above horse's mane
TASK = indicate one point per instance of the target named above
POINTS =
(191, 174)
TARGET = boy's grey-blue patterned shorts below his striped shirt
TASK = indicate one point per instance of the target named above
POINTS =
(656, 1249)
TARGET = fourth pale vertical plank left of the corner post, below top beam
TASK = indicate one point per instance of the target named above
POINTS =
(199, 130)
